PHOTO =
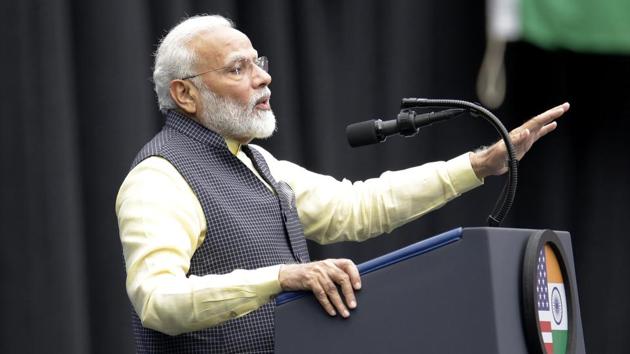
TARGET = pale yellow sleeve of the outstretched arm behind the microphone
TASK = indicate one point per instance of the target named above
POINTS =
(334, 211)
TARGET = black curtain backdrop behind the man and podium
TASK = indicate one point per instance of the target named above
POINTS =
(77, 104)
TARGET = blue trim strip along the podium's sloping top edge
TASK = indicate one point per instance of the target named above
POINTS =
(388, 259)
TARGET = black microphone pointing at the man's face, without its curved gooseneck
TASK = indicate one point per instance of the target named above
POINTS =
(406, 124)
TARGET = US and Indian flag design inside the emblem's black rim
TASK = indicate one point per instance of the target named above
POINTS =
(551, 302)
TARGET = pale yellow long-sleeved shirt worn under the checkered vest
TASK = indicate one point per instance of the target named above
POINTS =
(162, 223)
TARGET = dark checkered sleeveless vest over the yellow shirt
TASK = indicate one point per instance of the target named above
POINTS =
(249, 227)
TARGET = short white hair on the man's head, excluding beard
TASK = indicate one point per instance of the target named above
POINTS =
(174, 59)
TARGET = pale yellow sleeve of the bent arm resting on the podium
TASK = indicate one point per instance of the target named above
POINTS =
(161, 225)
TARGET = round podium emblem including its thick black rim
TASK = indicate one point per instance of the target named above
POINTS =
(547, 296)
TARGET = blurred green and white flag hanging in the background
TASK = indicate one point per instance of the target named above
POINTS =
(586, 26)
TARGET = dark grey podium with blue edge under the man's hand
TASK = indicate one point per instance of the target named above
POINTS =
(457, 292)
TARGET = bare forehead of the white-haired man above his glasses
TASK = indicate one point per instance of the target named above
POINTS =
(221, 45)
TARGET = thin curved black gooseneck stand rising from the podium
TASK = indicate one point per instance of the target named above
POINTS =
(506, 199)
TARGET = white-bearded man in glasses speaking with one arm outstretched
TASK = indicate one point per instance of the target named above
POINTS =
(213, 228)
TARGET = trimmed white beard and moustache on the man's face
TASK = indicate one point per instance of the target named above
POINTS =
(231, 119)
